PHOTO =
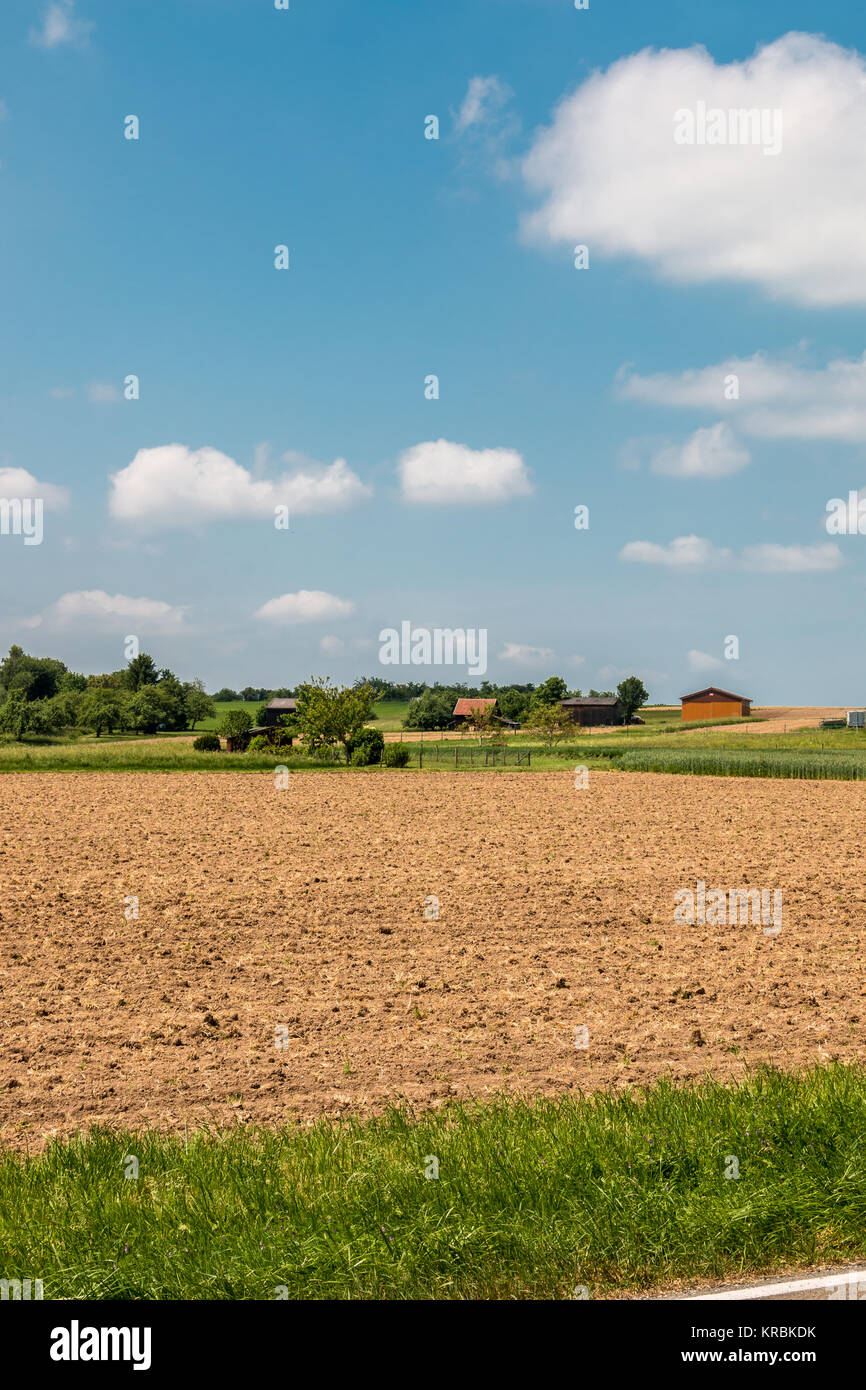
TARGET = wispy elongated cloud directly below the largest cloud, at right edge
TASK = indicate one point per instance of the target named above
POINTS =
(776, 400)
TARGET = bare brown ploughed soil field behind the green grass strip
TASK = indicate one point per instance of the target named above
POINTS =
(305, 910)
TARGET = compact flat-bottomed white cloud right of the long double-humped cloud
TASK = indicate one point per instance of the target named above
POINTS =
(440, 472)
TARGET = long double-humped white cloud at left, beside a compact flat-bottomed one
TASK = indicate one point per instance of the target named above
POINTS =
(184, 487)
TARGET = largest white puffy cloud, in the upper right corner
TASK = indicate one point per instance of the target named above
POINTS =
(611, 174)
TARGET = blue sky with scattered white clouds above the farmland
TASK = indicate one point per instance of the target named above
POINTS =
(408, 258)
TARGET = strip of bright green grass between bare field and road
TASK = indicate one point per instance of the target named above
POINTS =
(533, 1200)
